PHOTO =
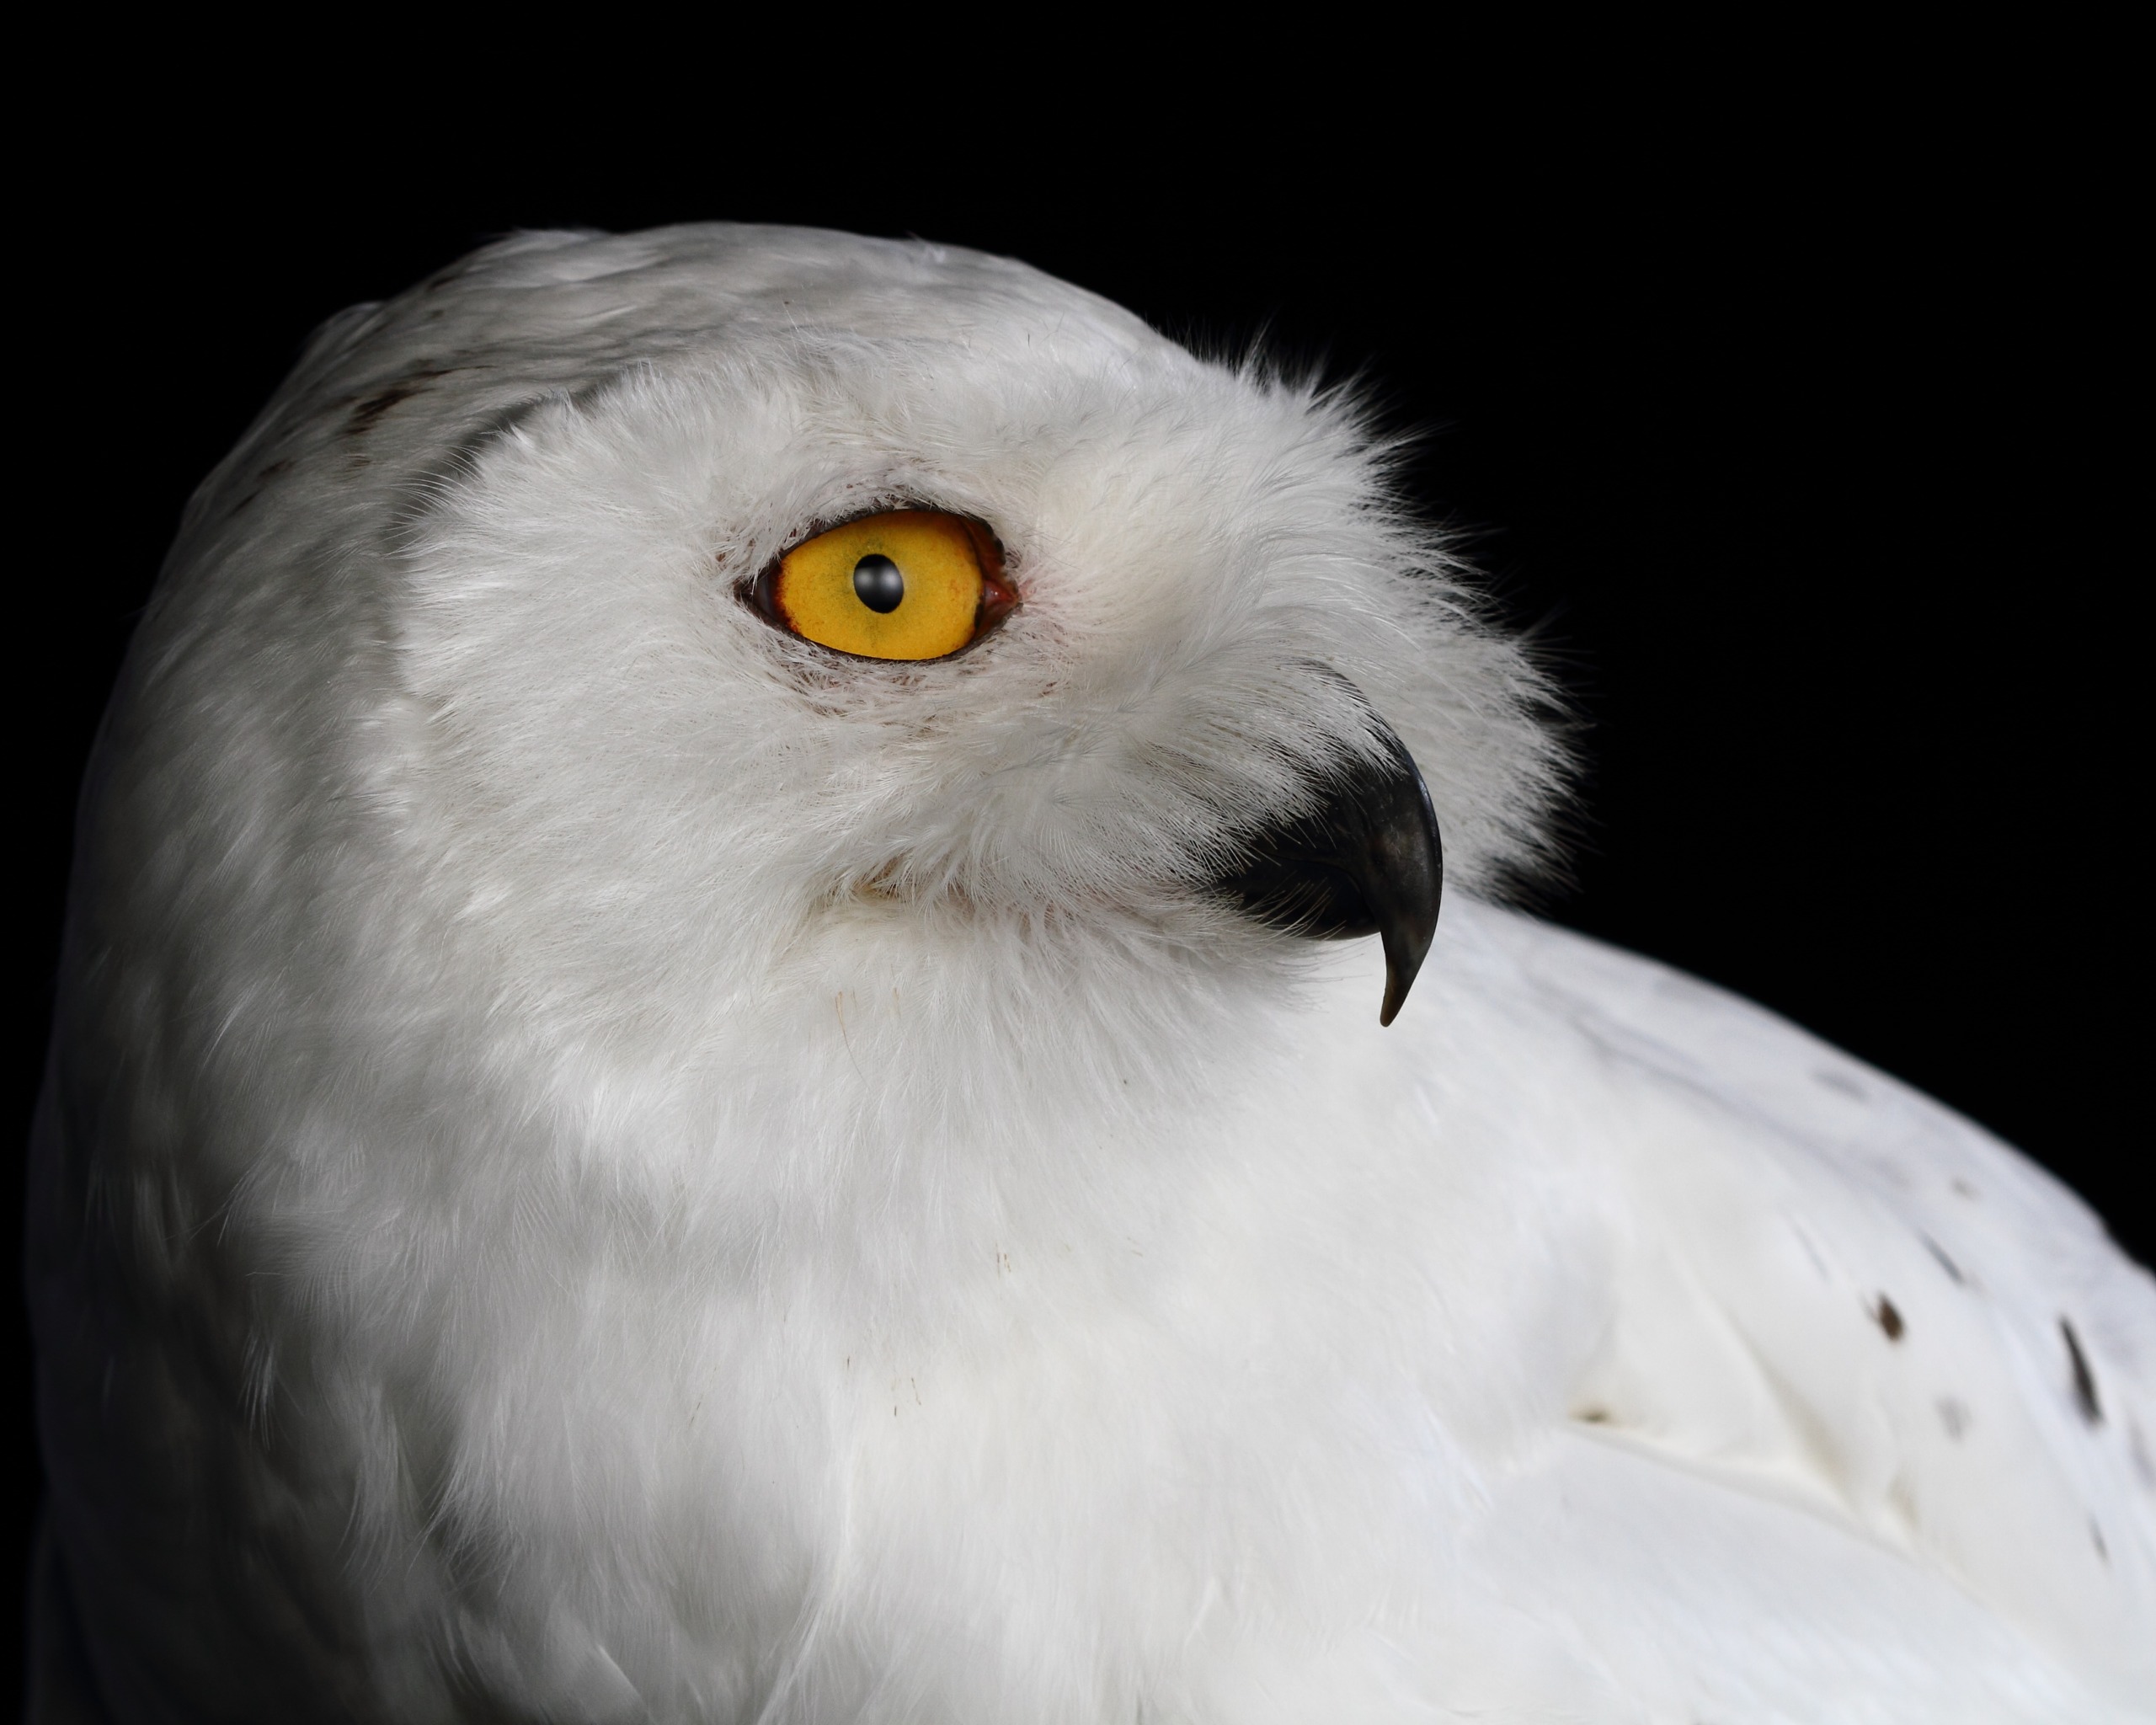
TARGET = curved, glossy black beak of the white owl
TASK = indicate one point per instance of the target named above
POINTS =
(1368, 861)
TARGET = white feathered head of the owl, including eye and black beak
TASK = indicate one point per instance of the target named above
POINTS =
(628, 637)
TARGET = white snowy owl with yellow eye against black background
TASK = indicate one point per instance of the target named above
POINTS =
(693, 1084)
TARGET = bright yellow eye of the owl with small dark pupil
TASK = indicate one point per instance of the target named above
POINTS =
(907, 585)
